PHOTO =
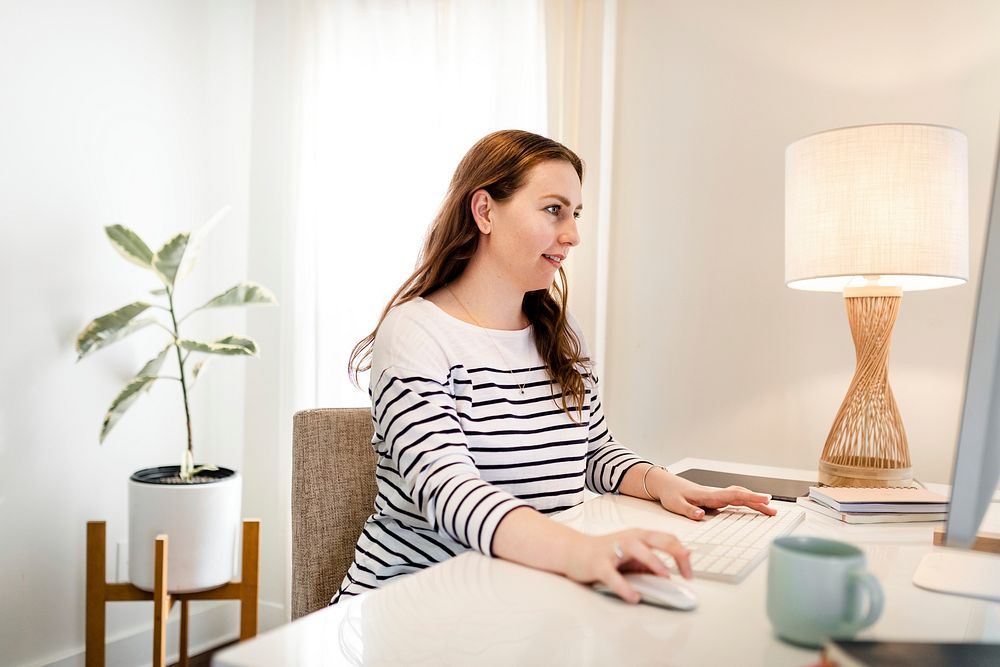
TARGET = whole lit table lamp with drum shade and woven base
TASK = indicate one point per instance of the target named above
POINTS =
(872, 211)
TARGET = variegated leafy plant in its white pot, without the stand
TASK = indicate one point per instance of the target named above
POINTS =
(197, 506)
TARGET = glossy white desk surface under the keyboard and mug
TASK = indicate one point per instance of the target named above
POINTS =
(476, 610)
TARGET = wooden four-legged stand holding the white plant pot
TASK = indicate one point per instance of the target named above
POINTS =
(100, 592)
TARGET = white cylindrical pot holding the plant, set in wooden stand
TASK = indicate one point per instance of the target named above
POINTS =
(202, 523)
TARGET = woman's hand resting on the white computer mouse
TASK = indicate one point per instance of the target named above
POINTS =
(603, 558)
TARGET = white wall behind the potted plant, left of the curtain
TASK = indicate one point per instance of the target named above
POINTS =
(110, 111)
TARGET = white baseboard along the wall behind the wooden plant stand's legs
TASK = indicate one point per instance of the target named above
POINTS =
(211, 623)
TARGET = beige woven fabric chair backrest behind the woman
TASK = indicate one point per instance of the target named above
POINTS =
(333, 492)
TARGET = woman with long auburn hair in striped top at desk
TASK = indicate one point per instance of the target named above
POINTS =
(487, 416)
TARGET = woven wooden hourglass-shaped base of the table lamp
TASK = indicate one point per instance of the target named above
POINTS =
(867, 443)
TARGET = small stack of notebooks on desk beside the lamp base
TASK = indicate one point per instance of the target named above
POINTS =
(855, 505)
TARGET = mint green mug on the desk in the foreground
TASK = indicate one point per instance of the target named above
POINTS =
(816, 590)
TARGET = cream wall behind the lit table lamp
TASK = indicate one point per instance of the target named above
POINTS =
(709, 354)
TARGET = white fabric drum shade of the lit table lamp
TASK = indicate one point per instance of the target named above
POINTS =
(877, 200)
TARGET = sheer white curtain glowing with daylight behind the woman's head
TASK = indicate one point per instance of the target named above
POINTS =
(393, 94)
